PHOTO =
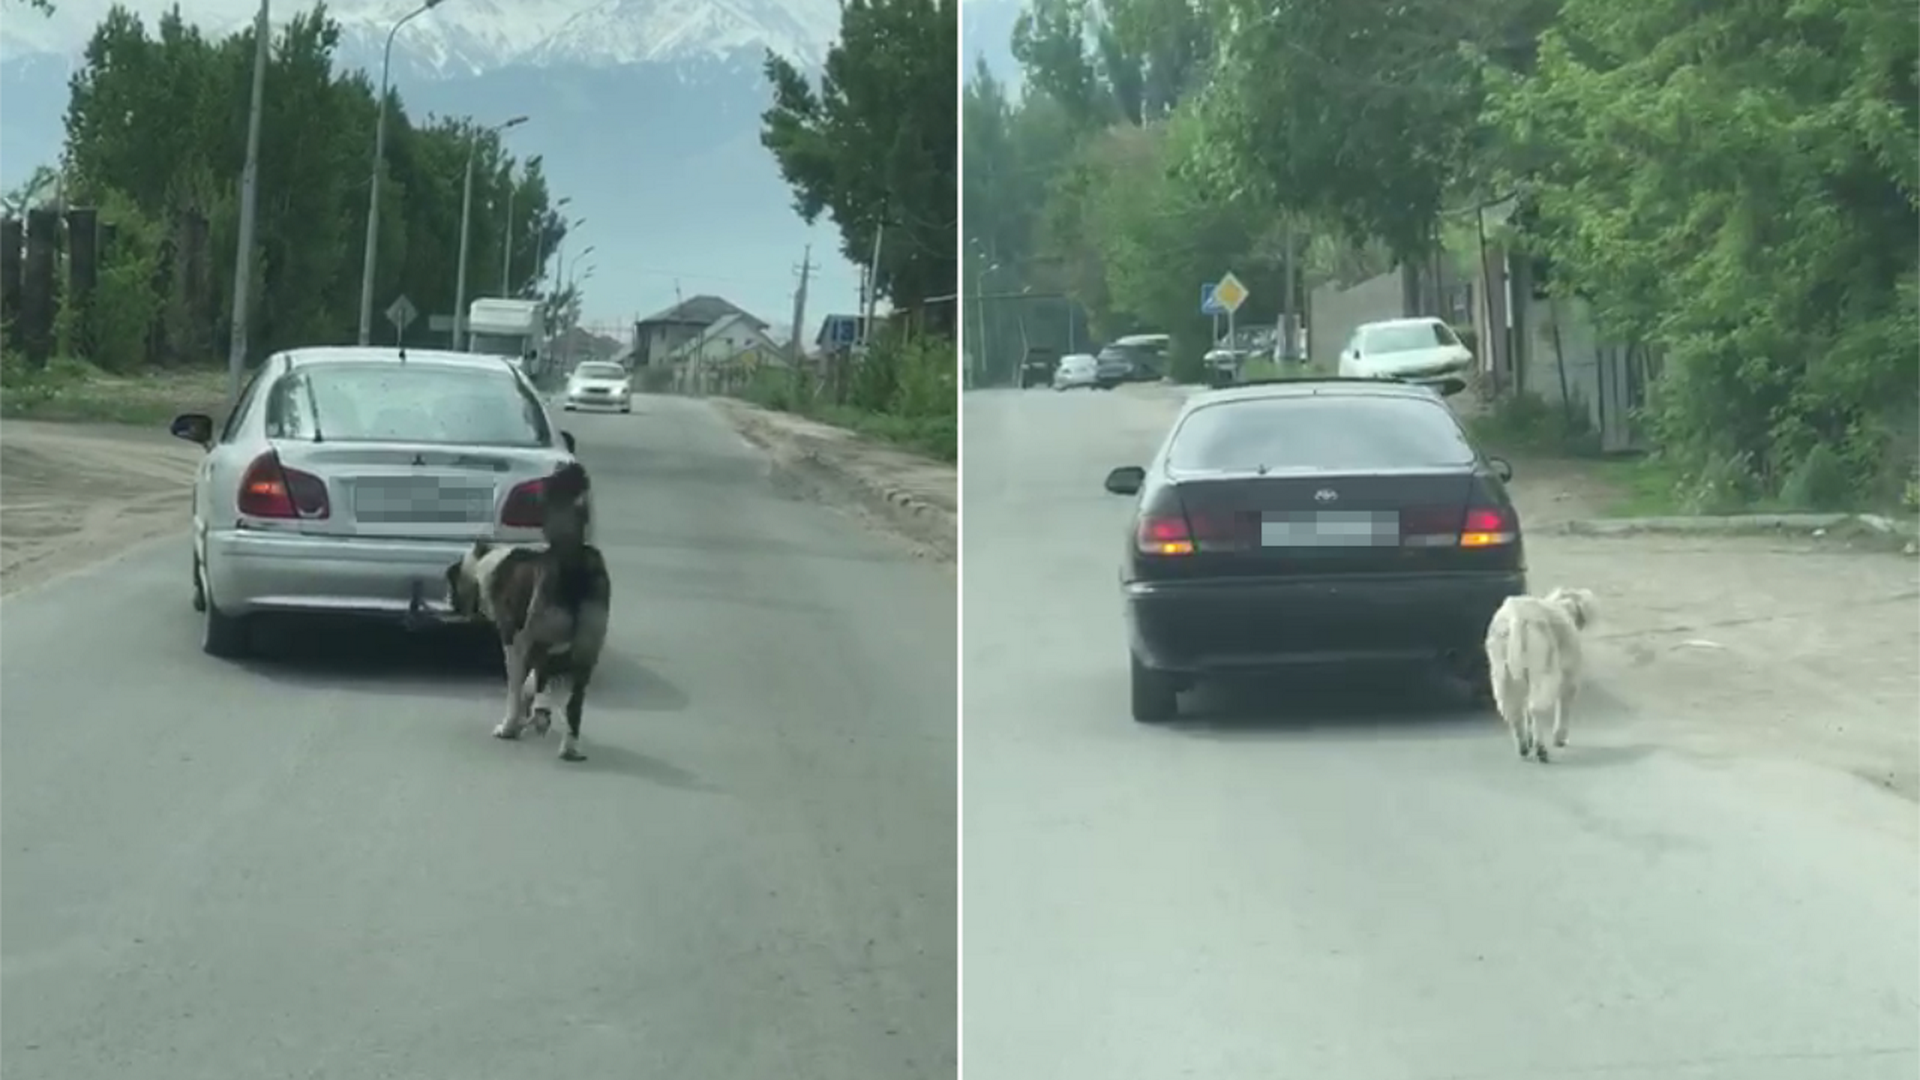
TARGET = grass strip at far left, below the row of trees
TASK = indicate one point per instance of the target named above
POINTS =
(80, 393)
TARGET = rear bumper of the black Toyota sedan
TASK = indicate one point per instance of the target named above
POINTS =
(1264, 624)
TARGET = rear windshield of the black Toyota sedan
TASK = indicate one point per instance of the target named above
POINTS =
(1320, 435)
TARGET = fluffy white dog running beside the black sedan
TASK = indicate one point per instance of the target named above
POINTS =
(1533, 652)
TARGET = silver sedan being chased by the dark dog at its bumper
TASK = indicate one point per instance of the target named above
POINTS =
(347, 481)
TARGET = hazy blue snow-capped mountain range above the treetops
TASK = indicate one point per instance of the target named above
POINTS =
(646, 114)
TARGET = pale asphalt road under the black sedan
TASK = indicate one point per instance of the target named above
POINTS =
(1353, 877)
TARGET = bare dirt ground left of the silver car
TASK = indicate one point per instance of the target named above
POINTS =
(76, 495)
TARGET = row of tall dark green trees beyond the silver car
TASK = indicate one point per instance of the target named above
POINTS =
(156, 132)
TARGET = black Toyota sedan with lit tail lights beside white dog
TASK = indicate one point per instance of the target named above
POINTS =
(1320, 520)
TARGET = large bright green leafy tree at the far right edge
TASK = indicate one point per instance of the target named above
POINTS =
(1739, 187)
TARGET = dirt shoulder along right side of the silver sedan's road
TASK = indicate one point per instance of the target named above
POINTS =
(905, 493)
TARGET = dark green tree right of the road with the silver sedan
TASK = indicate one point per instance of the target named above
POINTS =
(875, 145)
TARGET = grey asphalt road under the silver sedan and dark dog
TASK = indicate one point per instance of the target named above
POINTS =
(324, 866)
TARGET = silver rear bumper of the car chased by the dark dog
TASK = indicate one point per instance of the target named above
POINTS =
(325, 576)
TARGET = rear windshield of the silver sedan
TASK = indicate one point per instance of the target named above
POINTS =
(398, 403)
